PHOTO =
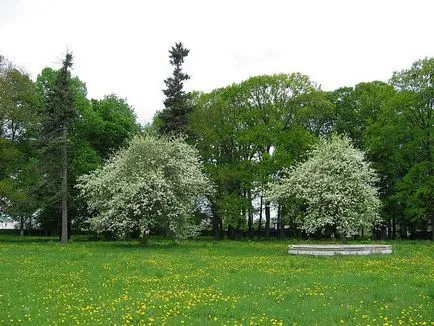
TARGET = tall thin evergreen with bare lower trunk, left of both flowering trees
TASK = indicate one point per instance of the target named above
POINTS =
(60, 112)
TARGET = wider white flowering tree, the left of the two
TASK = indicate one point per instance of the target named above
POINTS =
(156, 181)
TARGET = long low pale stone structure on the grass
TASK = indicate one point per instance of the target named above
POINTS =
(338, 249)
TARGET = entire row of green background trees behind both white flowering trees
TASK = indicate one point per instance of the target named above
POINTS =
(245, 134)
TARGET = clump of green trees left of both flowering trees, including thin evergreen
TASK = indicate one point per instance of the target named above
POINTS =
(50, 134)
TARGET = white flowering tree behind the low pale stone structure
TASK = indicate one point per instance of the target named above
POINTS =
(334, 188)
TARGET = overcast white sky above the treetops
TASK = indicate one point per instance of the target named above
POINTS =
(122, 46)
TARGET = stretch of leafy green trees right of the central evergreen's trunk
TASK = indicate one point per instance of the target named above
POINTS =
(247, 132)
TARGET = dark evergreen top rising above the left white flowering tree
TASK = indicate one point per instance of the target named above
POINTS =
(174, 118)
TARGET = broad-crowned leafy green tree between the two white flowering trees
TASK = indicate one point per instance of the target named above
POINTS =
(246, 132)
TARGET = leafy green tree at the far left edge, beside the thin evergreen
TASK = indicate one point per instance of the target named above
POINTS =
(18, 129)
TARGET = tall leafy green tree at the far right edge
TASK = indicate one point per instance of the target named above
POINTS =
(415, 107)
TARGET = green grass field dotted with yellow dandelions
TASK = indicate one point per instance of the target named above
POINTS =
(203, 282)
